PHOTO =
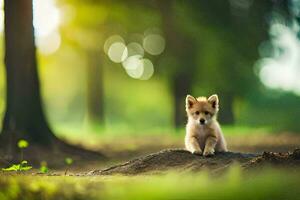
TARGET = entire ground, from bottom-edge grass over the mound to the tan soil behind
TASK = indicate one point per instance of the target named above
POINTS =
(172, 169)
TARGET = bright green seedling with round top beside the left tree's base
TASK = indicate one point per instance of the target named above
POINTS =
(23, 165)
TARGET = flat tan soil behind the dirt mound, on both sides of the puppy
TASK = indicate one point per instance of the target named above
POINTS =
(129, 147)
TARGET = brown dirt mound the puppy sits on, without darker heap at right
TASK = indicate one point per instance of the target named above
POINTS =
(175, 159)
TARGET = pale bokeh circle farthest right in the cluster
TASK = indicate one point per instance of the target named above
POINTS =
(154, 44)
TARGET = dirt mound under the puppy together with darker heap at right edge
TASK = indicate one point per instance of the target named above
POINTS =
(183, 161)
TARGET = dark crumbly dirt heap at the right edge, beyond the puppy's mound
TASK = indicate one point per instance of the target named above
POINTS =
(289, 159)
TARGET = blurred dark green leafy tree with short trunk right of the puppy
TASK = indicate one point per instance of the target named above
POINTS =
(232, 37)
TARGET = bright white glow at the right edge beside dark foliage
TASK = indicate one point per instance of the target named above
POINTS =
(282, 69)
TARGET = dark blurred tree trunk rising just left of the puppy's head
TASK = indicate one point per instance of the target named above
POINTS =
(181, 47)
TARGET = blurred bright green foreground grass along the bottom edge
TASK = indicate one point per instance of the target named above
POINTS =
(267, 184)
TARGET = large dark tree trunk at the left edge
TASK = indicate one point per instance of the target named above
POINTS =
(24, 116)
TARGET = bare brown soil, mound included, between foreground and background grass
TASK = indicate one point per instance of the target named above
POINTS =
(136, 155)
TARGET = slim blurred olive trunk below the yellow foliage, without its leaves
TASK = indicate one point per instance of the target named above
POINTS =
(95, 93)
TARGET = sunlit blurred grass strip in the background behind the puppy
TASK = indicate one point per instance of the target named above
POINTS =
(127, 140)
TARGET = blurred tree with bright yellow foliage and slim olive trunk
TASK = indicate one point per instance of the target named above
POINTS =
(88, 28)
